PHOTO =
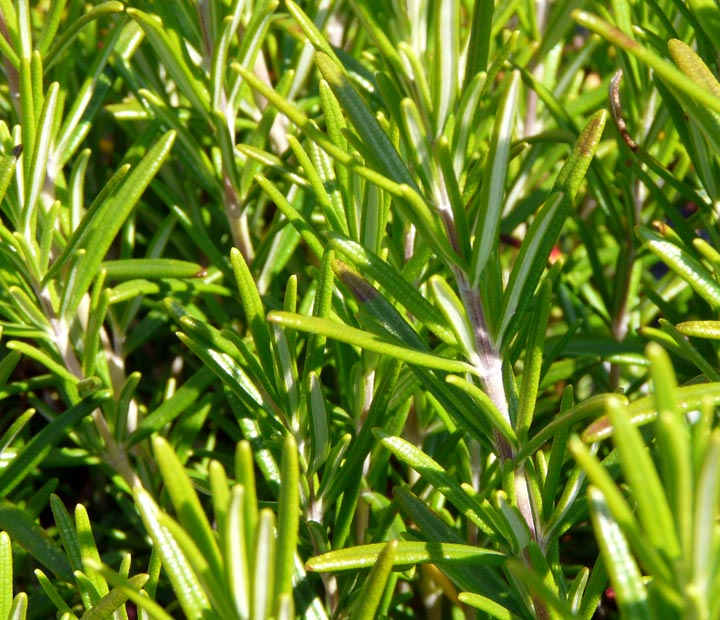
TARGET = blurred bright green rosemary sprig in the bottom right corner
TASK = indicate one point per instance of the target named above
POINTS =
(673, 535)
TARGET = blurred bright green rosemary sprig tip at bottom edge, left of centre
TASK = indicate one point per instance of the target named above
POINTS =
(247, 569)
